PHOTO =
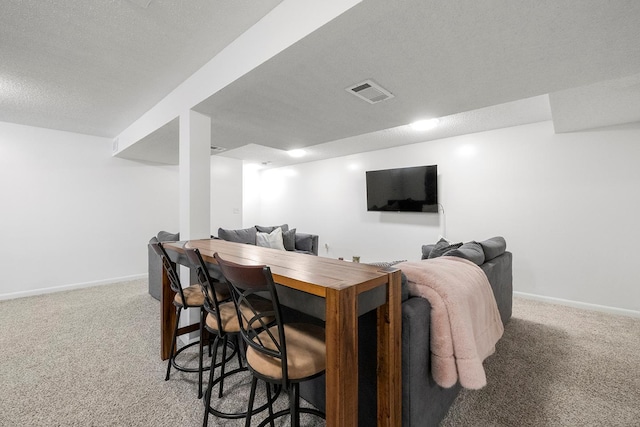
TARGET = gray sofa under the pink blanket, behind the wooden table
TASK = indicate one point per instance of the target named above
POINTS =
(424, 403)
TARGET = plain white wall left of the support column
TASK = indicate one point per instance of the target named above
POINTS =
(71, 214)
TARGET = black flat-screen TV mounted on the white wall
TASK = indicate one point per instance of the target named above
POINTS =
(413, 189)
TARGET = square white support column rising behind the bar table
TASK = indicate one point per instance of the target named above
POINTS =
(195, 192)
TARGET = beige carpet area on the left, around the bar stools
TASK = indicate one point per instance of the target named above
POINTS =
(91, 357)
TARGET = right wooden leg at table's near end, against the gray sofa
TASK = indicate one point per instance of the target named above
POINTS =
(390, 355)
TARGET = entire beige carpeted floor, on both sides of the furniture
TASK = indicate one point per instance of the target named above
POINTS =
(90, 357)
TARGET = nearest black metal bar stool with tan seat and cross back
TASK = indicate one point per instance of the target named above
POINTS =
(277, 353)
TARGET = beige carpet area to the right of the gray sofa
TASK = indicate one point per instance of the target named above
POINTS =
(558, 366)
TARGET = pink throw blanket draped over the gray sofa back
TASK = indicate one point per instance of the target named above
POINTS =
(465, 321)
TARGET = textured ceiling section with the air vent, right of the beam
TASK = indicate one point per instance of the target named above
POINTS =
(437, 58)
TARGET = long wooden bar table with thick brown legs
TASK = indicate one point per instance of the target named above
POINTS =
(348, 289)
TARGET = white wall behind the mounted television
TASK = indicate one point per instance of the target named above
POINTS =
(567, 205)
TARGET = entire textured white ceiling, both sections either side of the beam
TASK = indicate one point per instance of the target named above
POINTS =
(475, 65)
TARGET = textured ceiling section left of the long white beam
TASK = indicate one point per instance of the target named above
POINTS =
(94, 67)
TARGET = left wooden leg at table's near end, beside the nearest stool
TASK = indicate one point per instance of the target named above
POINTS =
(341, 329)
